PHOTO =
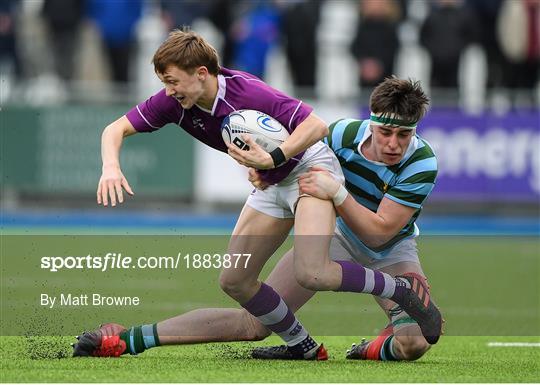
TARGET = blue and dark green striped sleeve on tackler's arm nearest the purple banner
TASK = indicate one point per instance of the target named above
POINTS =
(416, 180)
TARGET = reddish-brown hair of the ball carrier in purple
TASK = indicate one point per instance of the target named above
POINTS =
(186, 50)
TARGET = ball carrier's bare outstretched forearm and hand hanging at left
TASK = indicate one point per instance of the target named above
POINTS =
(112, 180)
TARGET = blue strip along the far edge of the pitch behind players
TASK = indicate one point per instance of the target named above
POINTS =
(224, 222)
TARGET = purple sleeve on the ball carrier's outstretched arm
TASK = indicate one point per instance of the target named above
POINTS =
(154, 113)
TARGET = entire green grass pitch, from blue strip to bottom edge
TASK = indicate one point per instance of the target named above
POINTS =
(485, 286)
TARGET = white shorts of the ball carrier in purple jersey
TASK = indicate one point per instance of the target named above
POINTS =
(279, 200)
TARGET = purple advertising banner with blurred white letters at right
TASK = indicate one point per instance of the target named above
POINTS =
(485, 157)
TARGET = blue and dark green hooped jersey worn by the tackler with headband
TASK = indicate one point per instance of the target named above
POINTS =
(408, 183)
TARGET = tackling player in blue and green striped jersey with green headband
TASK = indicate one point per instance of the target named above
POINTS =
(389, 172)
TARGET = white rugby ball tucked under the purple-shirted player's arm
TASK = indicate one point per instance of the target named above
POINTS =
(266, 131)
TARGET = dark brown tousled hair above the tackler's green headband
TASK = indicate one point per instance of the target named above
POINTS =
(399, 96)
